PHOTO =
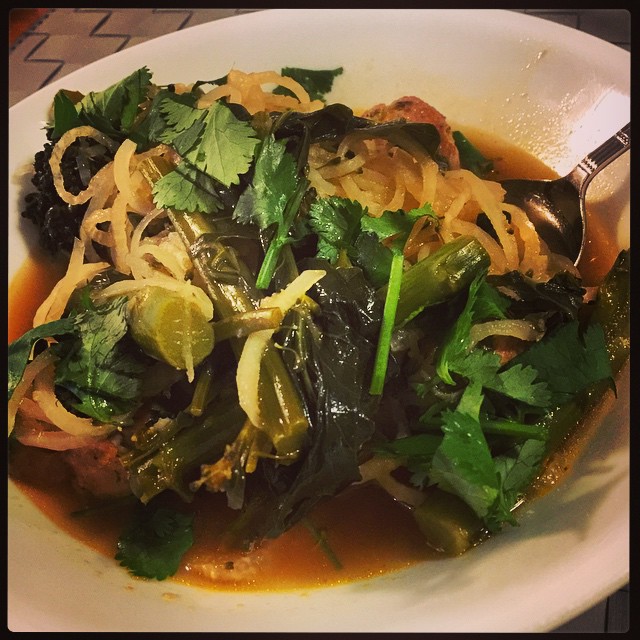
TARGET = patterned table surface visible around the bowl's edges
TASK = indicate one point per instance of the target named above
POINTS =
(41, 51)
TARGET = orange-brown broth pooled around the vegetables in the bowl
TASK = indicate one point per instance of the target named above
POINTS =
(368, 533)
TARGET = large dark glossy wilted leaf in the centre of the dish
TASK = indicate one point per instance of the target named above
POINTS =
(330, 354)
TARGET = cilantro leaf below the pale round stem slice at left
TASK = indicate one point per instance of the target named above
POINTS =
(102, 375)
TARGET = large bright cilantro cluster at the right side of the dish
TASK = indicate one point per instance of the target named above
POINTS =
(486, 455)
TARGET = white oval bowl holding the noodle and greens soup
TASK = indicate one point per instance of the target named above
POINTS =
(551, 90)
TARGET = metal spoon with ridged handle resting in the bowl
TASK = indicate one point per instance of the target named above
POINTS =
(556, 207)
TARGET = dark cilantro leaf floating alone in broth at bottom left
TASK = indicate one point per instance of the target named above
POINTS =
(153, 545)
